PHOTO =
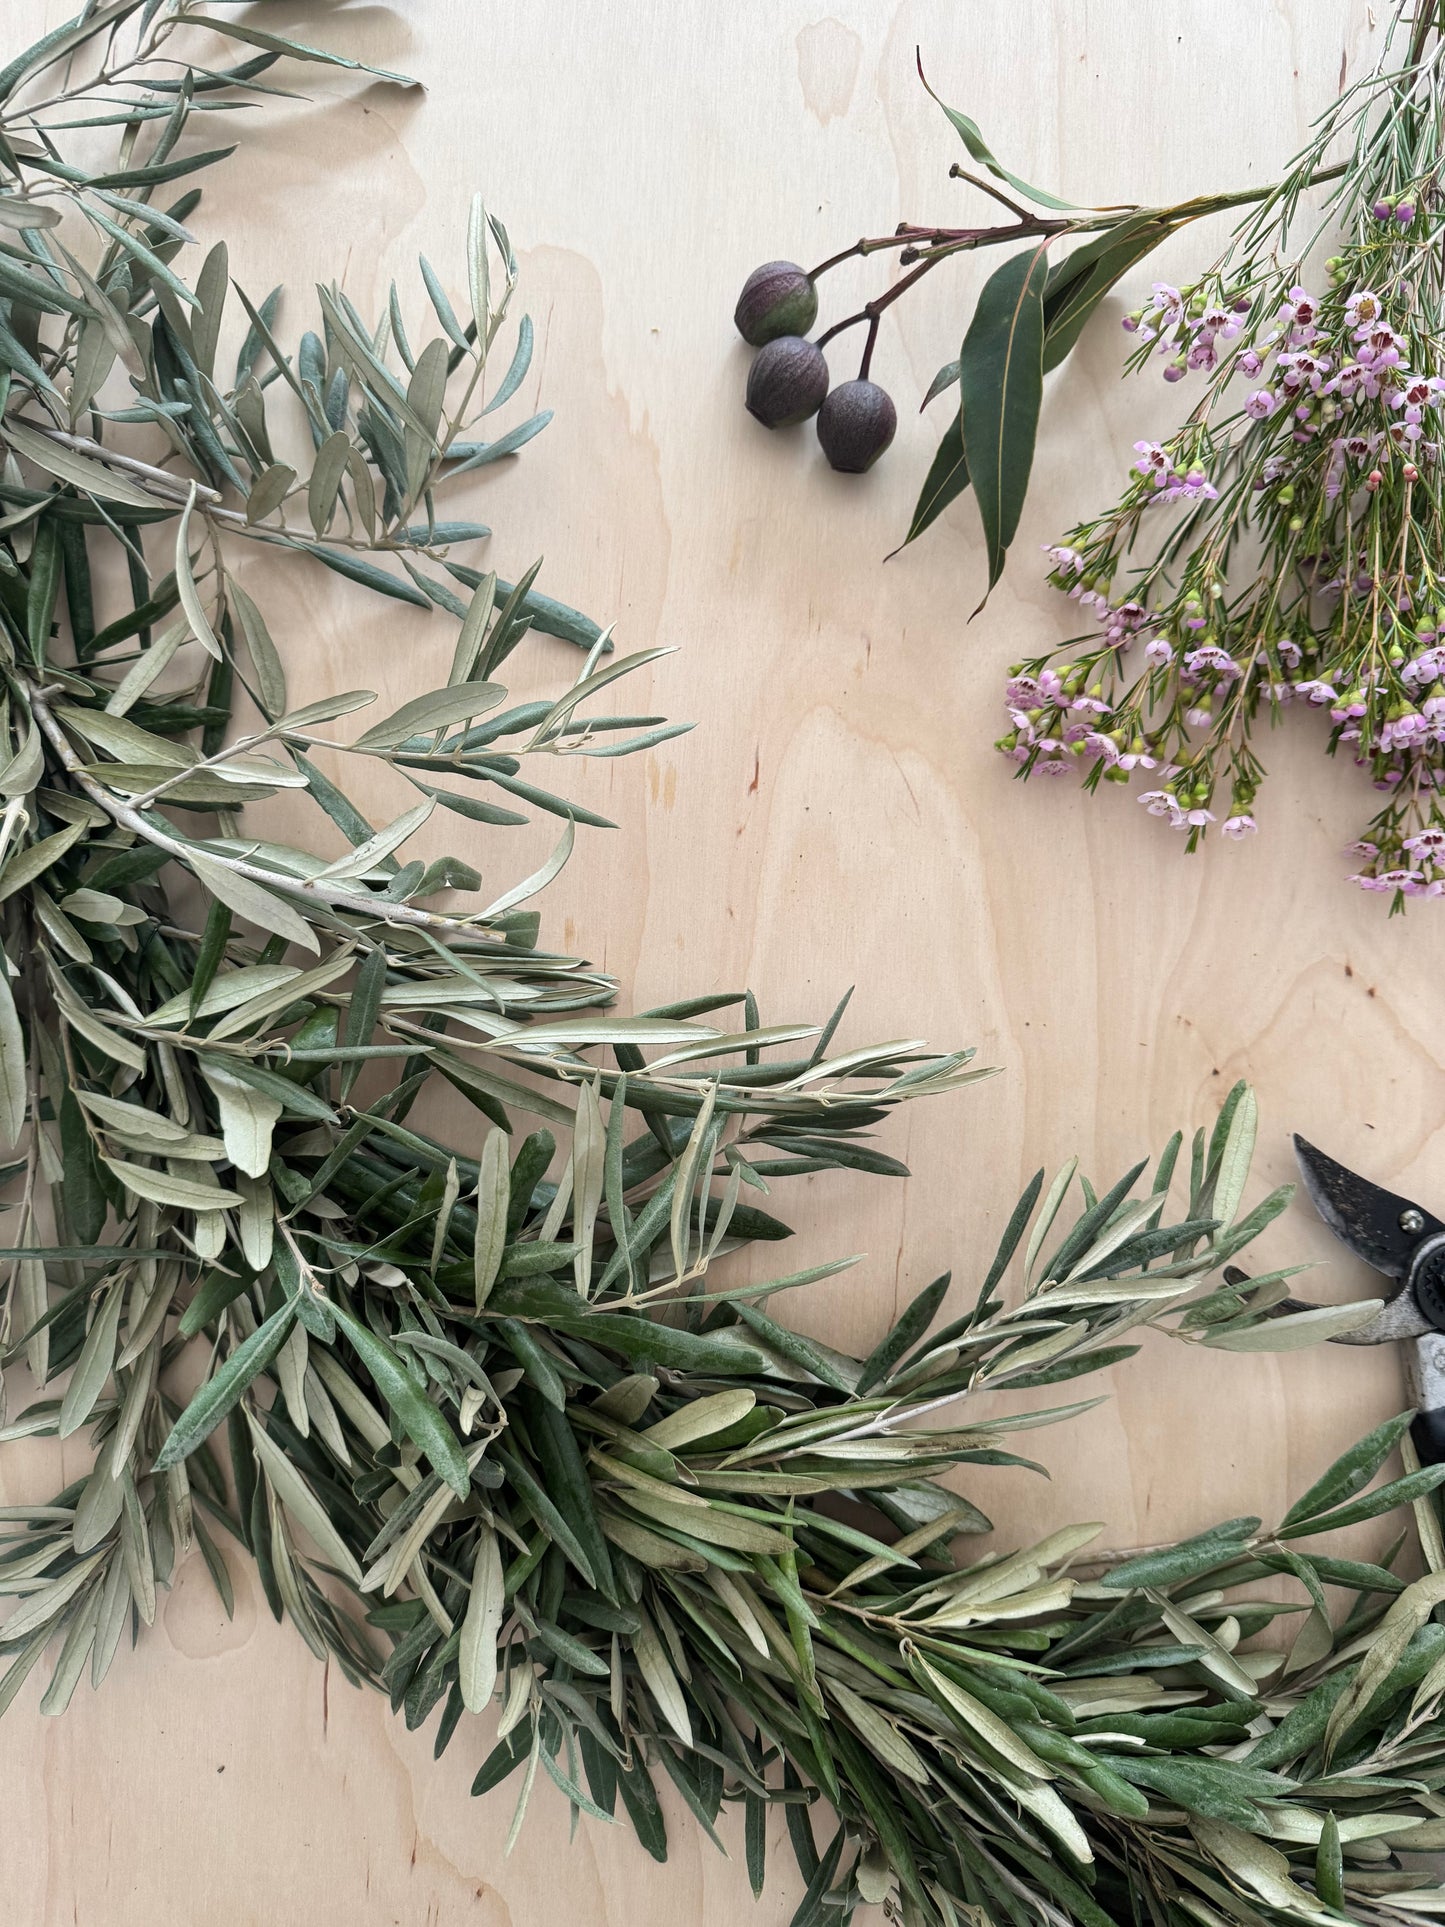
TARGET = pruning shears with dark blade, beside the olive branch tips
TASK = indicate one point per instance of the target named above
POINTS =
(1406, 1242)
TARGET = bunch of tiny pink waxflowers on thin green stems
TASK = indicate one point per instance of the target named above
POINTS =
(1317, 456)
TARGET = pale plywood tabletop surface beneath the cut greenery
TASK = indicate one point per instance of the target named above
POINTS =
(837, 818)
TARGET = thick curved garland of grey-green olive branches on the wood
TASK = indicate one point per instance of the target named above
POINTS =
(485, 1419)
